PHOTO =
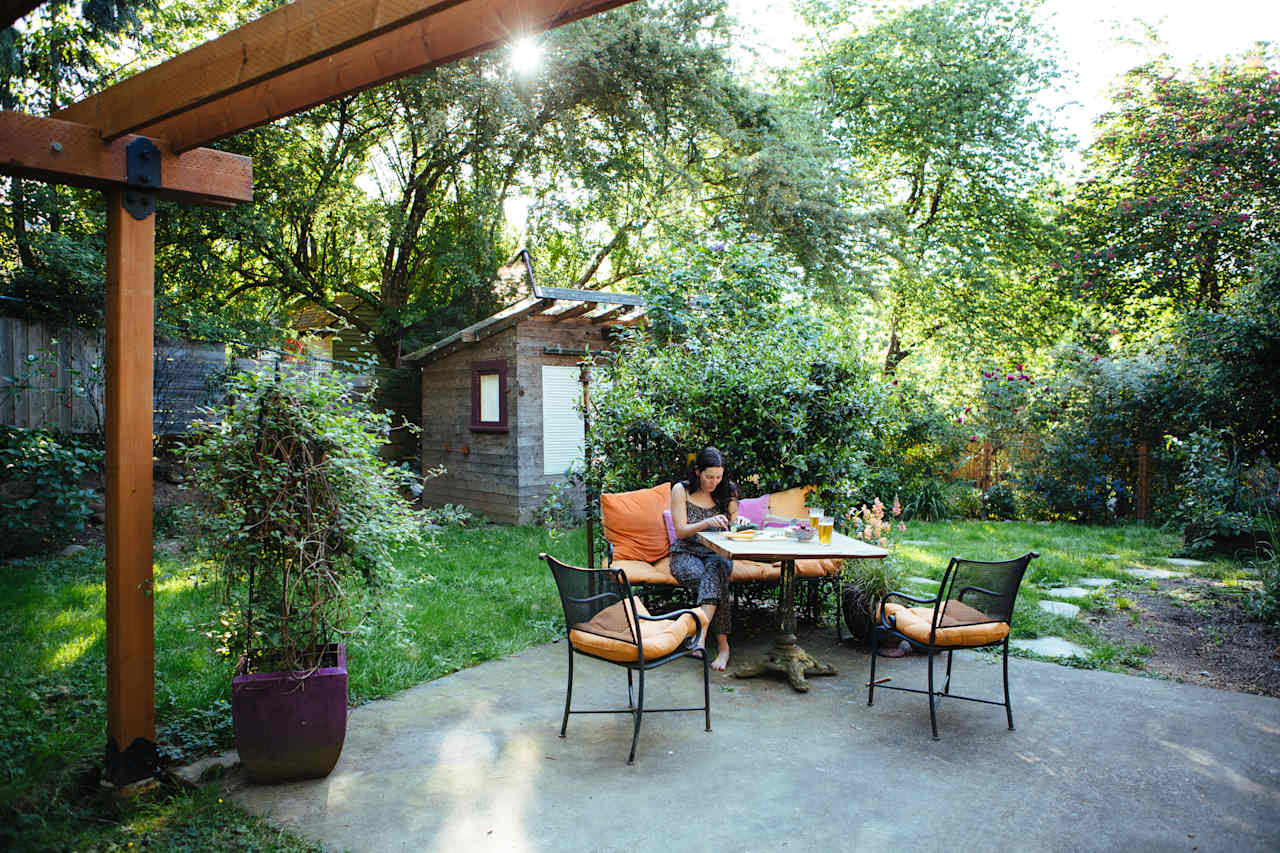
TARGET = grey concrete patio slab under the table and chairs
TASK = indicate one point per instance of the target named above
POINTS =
(1099, 761)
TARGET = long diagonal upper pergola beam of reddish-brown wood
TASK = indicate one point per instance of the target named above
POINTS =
(305, 54)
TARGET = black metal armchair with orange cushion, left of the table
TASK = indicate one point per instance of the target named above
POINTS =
(605, 621)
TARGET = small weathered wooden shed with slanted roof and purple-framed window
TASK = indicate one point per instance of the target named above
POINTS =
(501, 400)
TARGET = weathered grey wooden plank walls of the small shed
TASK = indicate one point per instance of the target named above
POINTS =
(502, 475)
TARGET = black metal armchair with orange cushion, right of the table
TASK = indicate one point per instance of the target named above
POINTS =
(972, 610)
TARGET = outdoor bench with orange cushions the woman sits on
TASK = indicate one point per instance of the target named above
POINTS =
(638, 539)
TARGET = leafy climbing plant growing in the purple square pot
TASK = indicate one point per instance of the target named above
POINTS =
(300, 514)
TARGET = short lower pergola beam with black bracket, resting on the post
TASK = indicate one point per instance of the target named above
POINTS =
(57, 152)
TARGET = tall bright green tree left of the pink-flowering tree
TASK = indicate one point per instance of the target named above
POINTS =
(932, 108)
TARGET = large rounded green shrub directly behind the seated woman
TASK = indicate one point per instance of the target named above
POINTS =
(730, 364)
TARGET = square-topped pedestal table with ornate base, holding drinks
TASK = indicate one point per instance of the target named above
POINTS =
(788, 658)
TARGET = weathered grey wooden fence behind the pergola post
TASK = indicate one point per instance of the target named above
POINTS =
(54, 378)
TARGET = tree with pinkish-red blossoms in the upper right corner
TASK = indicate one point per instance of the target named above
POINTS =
(1182, 186)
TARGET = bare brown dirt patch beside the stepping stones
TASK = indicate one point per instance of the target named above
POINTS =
(1199, 632)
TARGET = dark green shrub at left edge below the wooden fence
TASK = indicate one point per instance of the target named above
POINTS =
(42, 501)
